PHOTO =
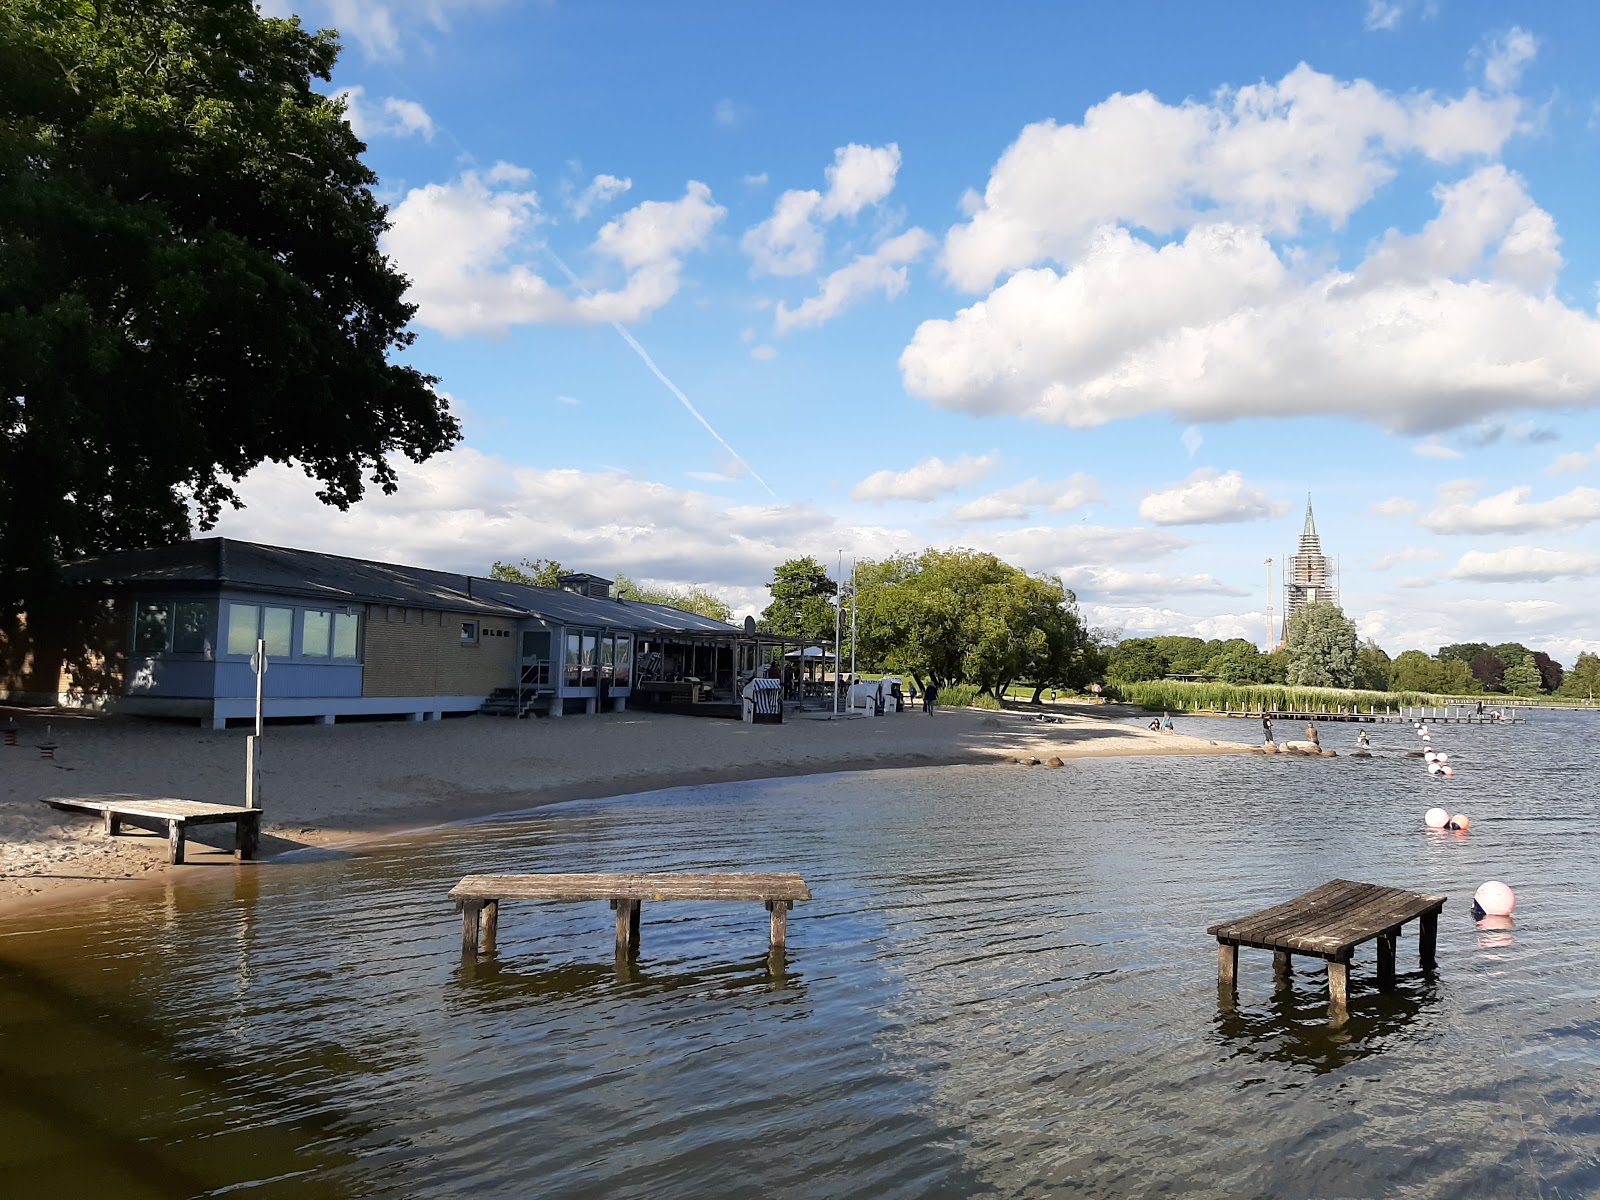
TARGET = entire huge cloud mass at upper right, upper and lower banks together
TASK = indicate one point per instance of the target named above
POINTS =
(1177, 260)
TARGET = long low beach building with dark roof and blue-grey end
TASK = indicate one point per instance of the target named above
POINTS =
(172, 633)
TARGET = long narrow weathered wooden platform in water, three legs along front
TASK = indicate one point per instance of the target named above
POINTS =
(479, 898)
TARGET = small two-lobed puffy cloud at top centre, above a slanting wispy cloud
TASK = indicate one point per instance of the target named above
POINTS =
(790, 242)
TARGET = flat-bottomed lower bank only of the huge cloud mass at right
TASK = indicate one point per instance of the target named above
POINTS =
(1220, 327)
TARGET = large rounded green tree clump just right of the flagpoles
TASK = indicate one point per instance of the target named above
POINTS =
(961, 617)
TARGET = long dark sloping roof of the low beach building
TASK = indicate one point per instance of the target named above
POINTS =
(209, 562)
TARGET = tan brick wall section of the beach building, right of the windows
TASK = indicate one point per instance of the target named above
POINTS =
(418, 652)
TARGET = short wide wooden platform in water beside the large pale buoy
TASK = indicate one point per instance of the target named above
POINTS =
(1329, 924)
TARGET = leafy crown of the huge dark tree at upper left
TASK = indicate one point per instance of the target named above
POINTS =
(190, 278)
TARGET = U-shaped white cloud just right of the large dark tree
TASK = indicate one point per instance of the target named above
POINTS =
(465, 247)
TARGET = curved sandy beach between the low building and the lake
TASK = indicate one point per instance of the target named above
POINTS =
(362, 780)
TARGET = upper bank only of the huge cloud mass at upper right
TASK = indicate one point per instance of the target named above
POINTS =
(1268, 156)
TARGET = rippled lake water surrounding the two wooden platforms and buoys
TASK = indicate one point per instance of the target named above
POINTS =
(1002, 988)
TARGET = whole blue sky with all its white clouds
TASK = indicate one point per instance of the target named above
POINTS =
(1106, 290)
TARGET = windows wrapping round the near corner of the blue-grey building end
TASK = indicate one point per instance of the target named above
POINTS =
(190, 628)
